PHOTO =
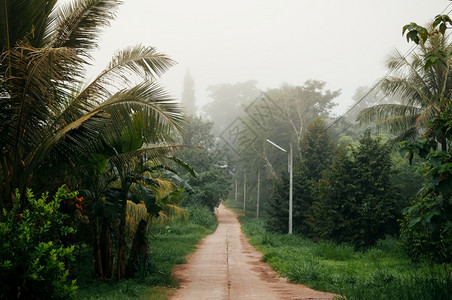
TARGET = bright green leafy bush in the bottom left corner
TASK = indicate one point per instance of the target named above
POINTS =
(34, 260)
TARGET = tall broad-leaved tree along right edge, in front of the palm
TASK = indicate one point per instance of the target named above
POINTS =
(427, 223)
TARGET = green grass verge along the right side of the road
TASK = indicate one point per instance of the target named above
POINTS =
(382, 272)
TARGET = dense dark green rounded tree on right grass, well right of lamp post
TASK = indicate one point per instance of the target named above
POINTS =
(357, 202)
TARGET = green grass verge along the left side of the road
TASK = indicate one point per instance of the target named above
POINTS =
(169, 245)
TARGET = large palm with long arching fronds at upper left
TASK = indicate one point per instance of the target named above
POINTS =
(50, 118)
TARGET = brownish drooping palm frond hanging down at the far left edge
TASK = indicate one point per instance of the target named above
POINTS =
(38, 87)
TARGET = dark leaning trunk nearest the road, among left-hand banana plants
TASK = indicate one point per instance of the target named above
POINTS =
(139, 251)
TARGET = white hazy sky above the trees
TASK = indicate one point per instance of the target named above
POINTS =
(344, 43)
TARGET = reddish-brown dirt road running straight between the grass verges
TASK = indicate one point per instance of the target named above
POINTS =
(226, 266)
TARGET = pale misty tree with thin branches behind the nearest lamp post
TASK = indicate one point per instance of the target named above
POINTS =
(281, 117)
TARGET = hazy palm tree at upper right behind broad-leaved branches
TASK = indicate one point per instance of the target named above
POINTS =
(416, 87)
